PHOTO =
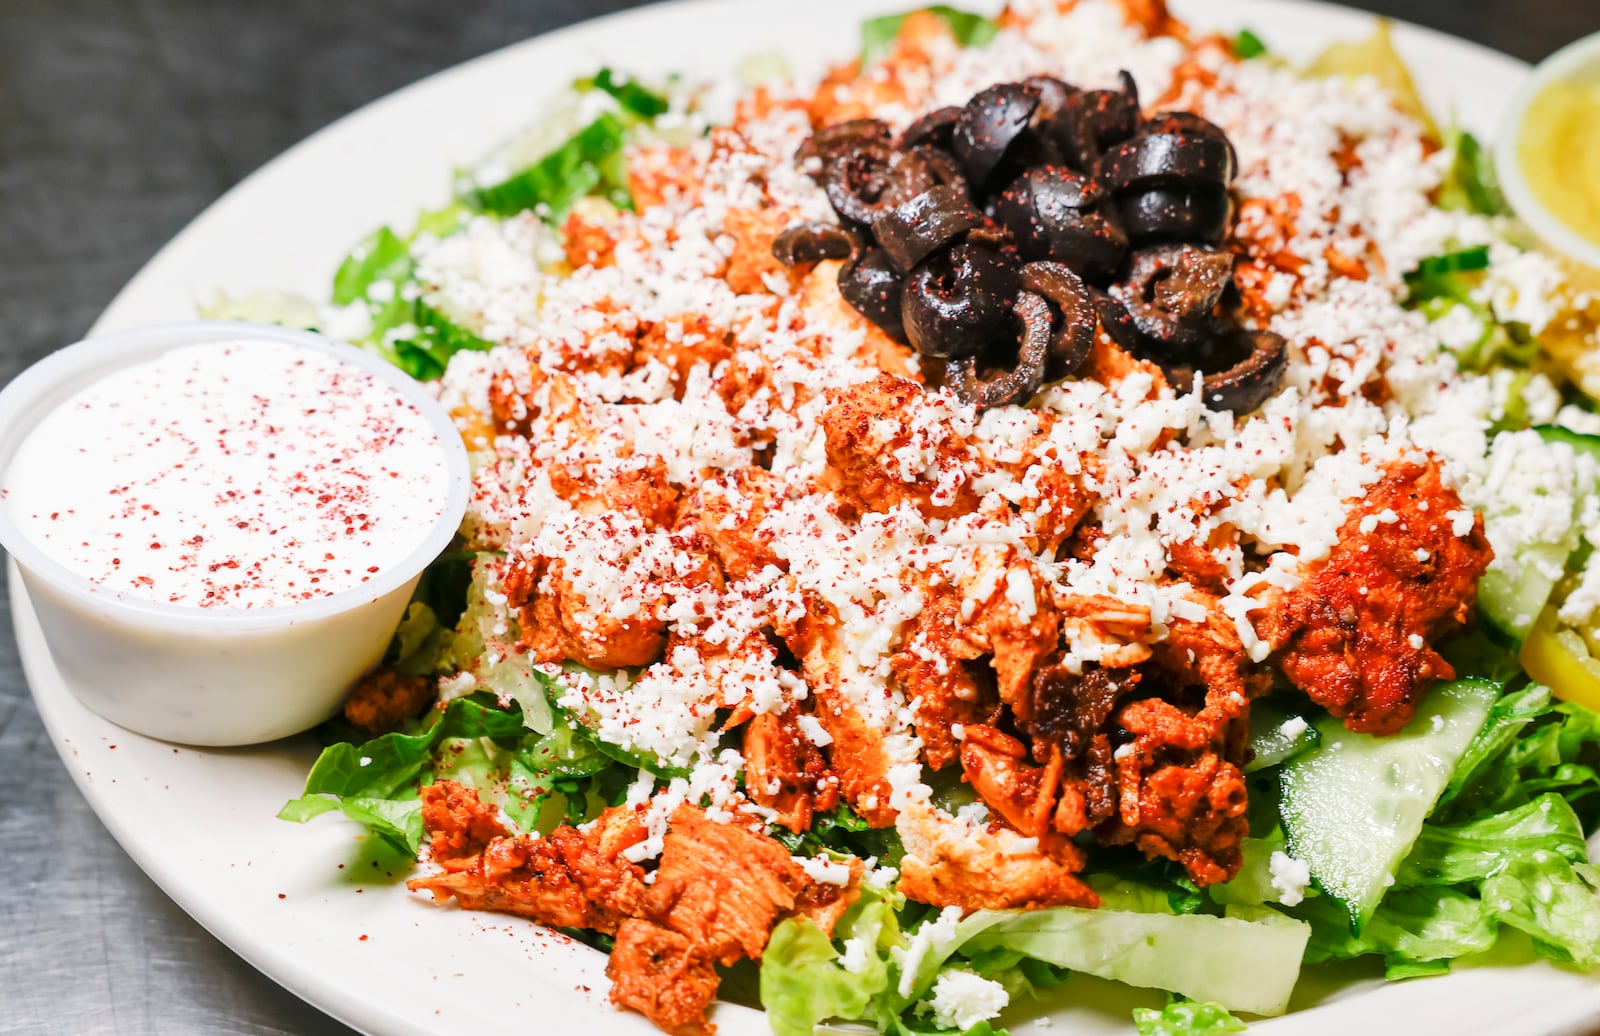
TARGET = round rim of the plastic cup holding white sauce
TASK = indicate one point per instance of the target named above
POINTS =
(55, 378)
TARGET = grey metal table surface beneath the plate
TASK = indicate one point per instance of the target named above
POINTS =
(119, 122)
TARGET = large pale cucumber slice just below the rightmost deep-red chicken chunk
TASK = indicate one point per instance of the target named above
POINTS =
(1354, 805)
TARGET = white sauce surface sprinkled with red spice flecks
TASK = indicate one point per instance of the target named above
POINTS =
(230, 476)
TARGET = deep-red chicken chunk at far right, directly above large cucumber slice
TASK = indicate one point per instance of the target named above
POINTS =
(1358, 634)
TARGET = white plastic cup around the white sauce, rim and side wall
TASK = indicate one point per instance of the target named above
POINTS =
(212, 675)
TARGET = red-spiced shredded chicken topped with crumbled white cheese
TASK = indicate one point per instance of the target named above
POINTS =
(761, 540)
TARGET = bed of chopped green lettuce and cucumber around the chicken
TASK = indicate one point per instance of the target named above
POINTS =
(1422, 850)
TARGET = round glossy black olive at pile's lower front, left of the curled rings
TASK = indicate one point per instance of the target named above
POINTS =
(959, 303)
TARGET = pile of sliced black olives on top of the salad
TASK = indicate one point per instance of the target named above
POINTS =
(998, 236)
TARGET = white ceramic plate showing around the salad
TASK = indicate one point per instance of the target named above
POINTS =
(314, 907)
